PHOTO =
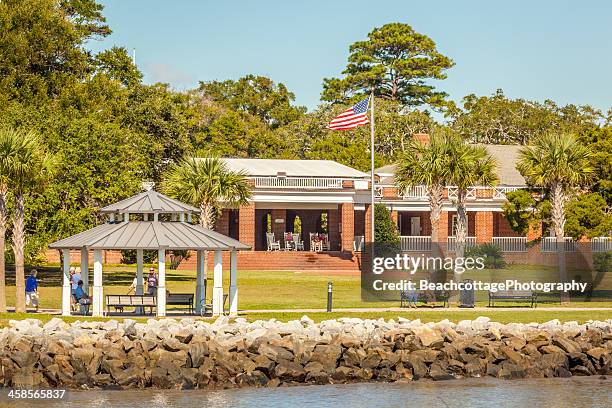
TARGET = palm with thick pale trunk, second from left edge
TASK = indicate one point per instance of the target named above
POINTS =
(29, 168)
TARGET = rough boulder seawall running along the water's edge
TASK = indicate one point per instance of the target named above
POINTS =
(193, 354)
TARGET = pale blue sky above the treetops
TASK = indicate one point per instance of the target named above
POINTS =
(537, 50)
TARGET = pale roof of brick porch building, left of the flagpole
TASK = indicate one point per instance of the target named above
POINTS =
(293, 168)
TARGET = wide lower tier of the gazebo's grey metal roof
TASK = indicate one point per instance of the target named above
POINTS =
(149, 235)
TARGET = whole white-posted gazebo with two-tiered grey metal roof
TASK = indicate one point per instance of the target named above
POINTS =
(158, 223)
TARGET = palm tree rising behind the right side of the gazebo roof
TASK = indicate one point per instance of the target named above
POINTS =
(207, 184)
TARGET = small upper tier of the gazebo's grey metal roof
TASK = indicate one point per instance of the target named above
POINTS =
(149, 201)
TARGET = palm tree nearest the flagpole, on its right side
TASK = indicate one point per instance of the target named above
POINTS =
(426, 164)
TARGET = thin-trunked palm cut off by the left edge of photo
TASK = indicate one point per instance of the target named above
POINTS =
(8, 142)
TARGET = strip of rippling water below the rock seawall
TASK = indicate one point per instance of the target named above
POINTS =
(471, 393)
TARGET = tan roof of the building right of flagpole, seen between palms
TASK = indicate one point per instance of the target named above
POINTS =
(506, 157)
